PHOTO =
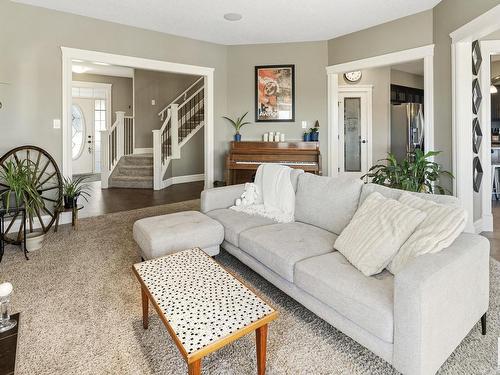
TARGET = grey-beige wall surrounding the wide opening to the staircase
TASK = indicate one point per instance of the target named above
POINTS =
(30, 63)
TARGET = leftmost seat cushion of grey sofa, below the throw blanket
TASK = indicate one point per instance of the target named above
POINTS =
(235, 222)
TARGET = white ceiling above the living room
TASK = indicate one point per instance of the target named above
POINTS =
(263, 21)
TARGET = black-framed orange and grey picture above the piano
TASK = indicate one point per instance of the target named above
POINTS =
(275, 93)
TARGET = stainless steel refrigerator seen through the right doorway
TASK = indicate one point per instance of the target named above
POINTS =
(407, 129)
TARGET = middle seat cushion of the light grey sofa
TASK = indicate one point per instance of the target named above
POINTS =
(280, 246)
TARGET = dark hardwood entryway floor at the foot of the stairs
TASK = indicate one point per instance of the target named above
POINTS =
(104, 201)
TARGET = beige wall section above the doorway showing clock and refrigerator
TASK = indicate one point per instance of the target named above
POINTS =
(408, 32)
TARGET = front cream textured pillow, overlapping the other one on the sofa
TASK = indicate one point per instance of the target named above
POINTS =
(376, 232)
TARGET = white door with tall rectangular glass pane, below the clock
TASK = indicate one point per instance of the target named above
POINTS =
(354, 139)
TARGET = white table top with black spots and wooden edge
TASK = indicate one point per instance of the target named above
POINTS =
(201, 301)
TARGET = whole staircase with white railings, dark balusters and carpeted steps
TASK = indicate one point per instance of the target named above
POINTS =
(180, 121)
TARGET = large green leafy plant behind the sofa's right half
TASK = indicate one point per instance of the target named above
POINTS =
(417, 173)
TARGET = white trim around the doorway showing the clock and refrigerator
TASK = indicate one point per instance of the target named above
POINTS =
(334, 71)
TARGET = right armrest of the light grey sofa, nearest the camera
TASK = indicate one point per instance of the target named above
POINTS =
(438, 298)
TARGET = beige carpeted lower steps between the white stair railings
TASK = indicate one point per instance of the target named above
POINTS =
(133, 172)
